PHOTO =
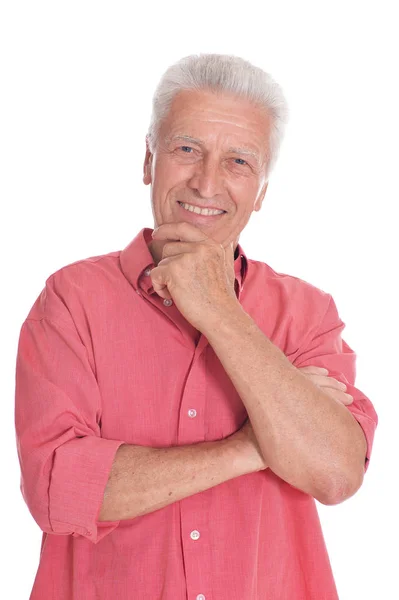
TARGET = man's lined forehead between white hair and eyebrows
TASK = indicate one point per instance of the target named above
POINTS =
(212, 116)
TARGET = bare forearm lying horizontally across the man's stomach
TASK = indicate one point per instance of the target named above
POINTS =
(145, 479)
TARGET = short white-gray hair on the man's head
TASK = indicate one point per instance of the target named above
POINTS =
(222, 72)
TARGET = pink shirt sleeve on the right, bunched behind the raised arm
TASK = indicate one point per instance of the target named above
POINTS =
(326, 348)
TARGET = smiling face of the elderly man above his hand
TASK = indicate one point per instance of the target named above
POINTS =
(212, 153)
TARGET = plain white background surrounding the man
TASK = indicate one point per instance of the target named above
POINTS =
(77, 80)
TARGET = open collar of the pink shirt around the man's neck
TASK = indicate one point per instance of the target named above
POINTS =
(136, 258)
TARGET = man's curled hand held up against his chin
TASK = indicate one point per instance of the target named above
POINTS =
(196, 272)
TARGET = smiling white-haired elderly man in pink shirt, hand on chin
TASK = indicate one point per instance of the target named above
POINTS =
(179, 406)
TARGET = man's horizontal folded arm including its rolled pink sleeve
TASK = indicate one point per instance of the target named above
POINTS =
(66, 465)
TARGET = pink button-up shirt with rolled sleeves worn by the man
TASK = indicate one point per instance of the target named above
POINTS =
(103, 360)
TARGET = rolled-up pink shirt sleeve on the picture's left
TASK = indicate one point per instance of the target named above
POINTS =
(64, 461)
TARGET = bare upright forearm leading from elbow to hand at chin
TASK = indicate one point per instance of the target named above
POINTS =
(306, 437)
